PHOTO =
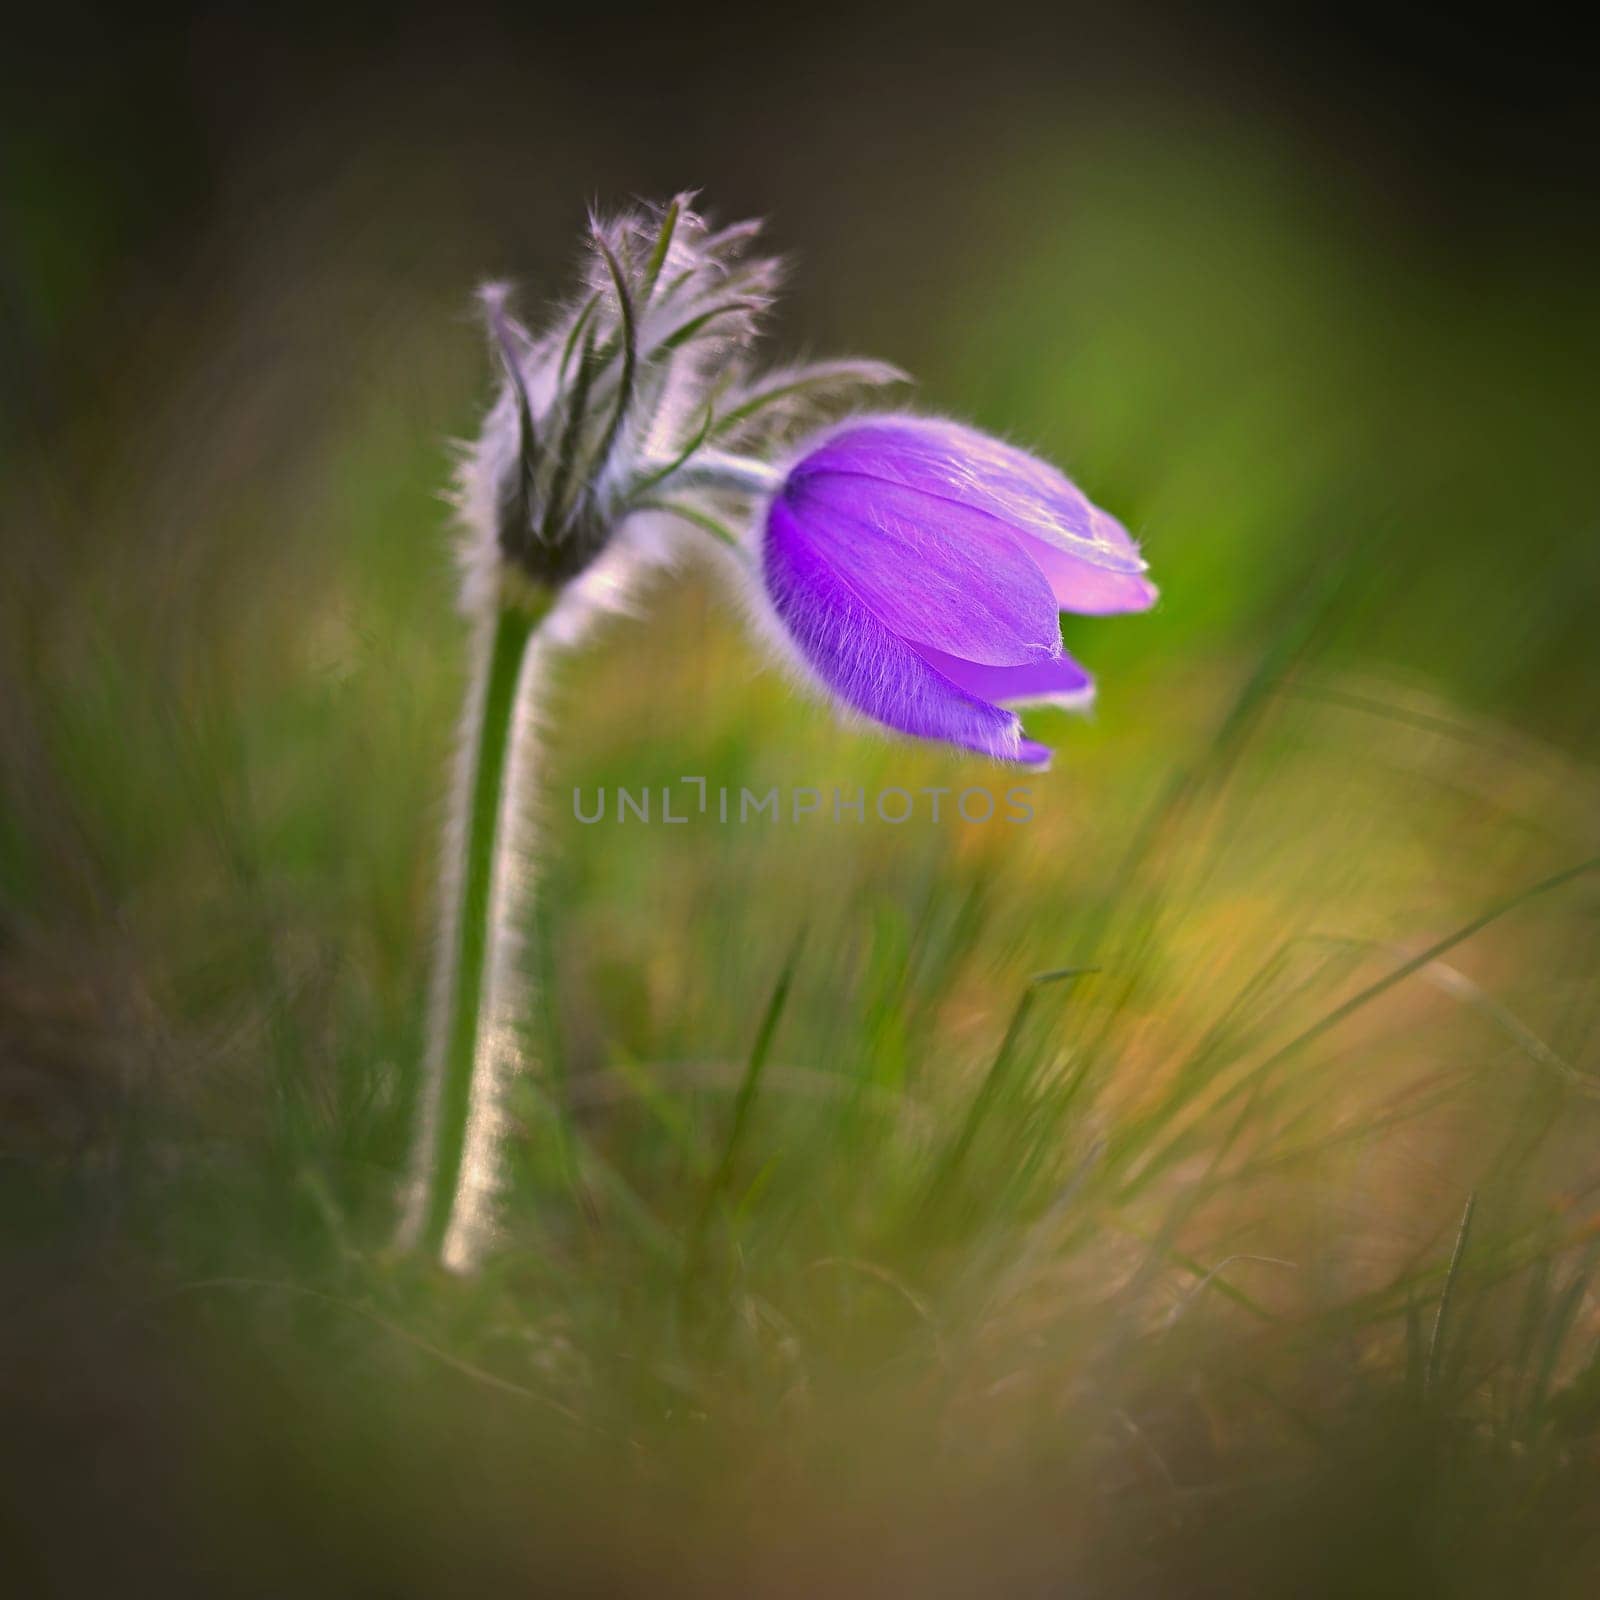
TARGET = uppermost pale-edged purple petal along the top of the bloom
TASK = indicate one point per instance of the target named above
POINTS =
(982, 474)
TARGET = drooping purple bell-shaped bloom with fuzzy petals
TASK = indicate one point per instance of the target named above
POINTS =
(919, 569)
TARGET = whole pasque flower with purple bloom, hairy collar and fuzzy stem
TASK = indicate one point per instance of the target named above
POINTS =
(914, 567)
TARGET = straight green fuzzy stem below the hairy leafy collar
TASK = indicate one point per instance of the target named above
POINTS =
(476, 1042)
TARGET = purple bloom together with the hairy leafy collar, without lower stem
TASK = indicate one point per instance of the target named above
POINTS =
(918, 567)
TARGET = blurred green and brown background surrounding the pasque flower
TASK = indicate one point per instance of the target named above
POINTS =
(1158, 1295)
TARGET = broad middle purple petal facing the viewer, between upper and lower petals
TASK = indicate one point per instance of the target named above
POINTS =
(927, 569)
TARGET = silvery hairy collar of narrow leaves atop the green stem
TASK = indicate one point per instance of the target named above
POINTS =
(630, 399)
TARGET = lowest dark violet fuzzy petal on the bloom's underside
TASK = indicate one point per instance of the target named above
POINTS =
(870, 668)
